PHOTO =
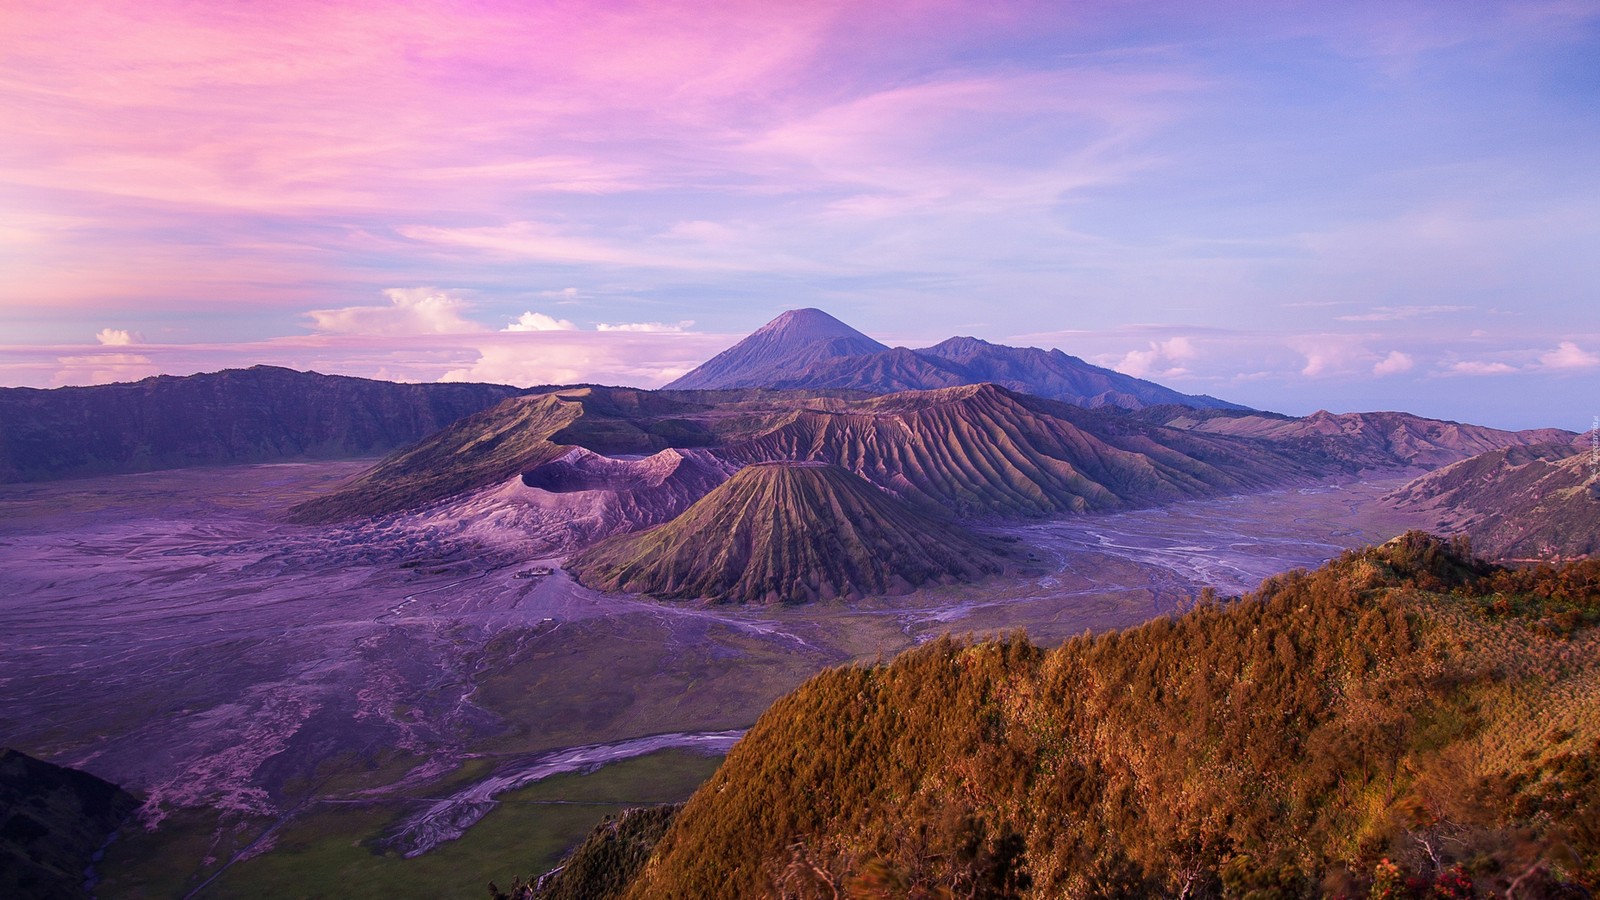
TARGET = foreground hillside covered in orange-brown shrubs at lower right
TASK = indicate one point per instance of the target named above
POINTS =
(1398, 723)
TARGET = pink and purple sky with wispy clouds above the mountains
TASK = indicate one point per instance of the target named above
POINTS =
(1292, 206)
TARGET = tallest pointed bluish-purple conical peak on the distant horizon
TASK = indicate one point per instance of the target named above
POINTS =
(796, 340)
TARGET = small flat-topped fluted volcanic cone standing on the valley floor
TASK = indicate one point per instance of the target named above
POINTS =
(790, 532)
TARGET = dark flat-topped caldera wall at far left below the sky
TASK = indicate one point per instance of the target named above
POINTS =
(236, 416)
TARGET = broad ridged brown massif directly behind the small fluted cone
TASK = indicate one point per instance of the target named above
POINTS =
(970, 451)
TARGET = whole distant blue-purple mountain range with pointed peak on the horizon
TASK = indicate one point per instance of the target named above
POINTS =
(810, 350)
